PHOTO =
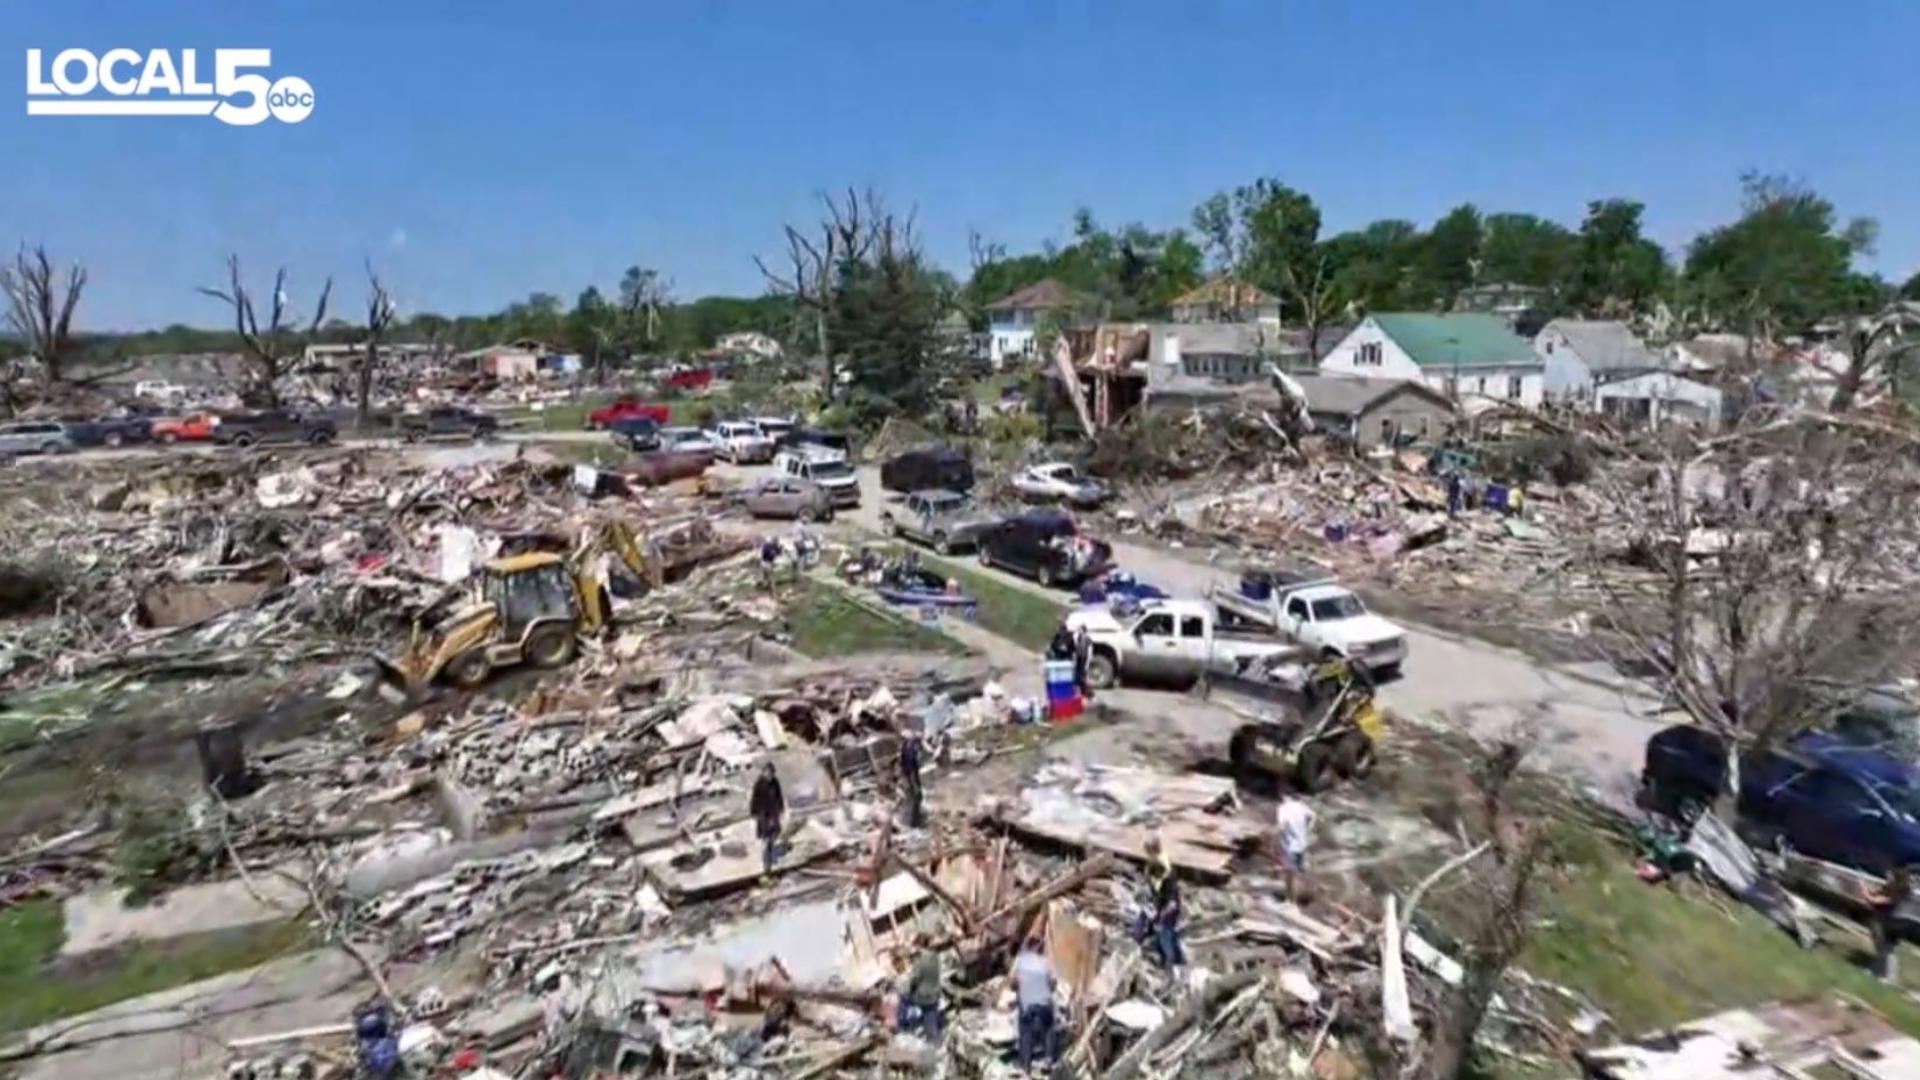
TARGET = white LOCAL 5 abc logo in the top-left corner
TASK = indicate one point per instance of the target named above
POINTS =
(124, 82)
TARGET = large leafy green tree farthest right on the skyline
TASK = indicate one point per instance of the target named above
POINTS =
(1783, 266)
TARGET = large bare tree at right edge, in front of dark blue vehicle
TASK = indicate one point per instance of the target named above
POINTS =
(1783, 552)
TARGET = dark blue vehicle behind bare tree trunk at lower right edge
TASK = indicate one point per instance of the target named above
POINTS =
(1819, 795)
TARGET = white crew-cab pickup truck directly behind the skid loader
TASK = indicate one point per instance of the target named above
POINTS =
(1168, 641)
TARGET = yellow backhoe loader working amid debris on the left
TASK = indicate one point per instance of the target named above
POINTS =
(525, 610)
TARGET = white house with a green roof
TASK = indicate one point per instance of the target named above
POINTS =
(1470, 356)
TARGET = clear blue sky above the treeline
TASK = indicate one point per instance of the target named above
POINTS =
(485, 151)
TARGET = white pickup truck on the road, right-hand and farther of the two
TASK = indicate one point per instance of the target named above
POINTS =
(1318, 614)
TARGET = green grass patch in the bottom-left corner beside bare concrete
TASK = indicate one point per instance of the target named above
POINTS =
(36, 987)
